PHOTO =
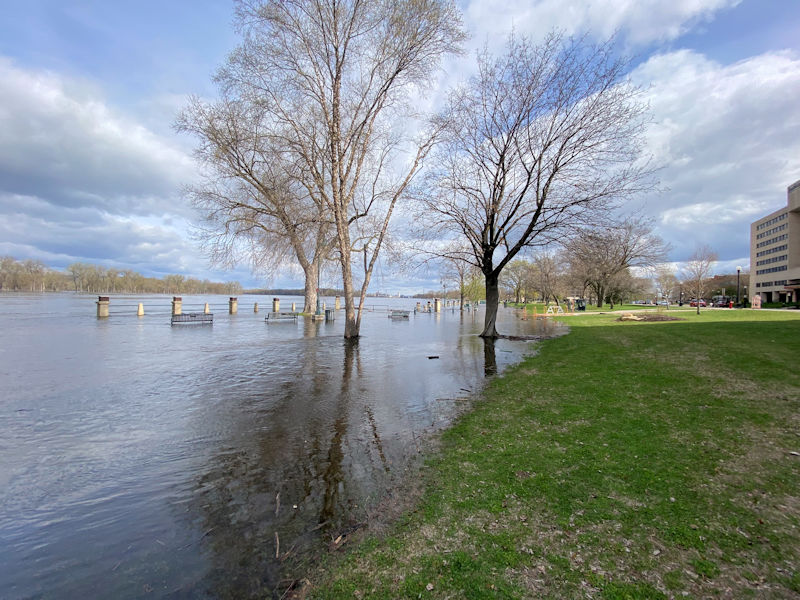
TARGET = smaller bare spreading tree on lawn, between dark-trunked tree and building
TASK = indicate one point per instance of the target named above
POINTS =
(598, 254)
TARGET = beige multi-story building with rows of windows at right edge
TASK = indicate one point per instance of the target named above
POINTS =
(775, 252)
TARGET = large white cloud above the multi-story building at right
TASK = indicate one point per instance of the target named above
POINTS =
(728, 137)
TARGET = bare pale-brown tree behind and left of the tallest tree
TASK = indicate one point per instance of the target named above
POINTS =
(252, 197)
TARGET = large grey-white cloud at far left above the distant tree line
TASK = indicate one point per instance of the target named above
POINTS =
(60, 141)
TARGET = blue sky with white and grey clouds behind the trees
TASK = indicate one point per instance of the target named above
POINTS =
(92, 170)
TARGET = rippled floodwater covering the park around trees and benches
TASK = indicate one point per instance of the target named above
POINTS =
(140, 460)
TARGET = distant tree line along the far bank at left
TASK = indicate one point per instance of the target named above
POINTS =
(35, 276)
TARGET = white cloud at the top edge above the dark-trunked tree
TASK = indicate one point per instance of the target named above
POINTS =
(640, 21)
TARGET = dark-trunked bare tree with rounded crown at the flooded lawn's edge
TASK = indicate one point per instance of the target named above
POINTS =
(539, 140)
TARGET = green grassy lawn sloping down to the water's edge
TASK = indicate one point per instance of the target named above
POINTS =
(624, 460)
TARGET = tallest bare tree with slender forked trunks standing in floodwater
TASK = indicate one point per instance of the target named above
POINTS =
(335, 76)
